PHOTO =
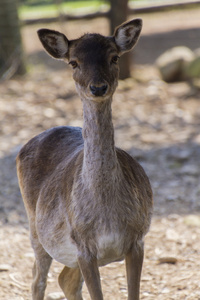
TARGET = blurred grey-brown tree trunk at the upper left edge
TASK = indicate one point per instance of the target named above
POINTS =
(11, 52)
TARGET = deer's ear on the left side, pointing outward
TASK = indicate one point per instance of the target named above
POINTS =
(54, 42)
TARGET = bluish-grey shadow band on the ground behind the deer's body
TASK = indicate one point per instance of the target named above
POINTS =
(174, 173)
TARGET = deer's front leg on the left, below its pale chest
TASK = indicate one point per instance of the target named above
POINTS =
(90, 272)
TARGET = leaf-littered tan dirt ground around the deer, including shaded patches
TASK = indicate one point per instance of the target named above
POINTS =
(158, 123)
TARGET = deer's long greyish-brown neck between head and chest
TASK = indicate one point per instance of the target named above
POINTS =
(100, 160)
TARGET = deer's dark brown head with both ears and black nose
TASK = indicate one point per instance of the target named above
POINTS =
(93, 57)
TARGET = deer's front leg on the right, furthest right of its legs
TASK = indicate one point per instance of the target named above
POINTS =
(134, 261)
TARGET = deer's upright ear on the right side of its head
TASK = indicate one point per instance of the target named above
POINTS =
(127, 34)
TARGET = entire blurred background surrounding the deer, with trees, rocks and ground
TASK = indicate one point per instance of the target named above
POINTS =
(156, 114)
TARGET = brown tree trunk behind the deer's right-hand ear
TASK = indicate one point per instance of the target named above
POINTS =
(118, 15)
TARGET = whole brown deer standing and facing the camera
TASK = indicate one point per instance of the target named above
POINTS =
(88, 202)
